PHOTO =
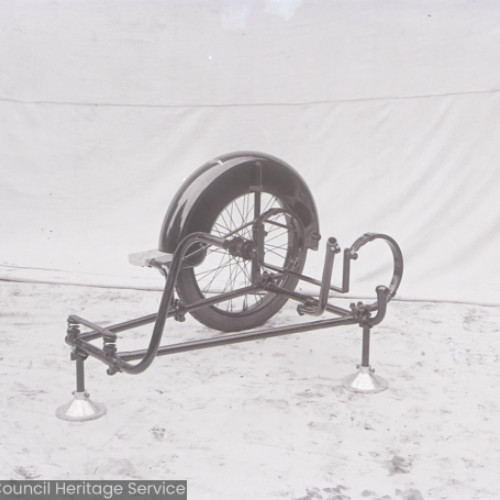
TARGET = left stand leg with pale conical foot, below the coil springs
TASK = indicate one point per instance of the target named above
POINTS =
(80, 408)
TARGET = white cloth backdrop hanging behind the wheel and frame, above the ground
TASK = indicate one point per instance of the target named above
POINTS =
(390, 110)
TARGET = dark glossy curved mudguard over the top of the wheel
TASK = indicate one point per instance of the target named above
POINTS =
(239, 168)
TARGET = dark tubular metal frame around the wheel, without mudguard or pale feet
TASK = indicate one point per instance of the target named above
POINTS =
(364, 315)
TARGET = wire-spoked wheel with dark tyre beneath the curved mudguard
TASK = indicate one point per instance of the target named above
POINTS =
(254, 224)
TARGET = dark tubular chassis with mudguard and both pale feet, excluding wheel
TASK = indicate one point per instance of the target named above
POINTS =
(245, 172)
